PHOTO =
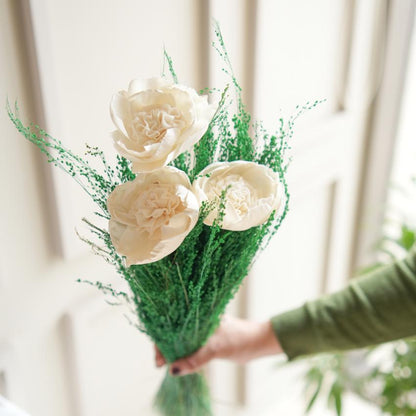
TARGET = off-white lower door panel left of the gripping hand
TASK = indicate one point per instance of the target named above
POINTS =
(111, 362)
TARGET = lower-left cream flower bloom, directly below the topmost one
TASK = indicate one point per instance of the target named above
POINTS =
(152, 215)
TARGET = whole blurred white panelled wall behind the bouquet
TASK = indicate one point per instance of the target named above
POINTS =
(63, 350)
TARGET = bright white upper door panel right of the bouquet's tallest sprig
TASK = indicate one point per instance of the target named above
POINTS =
(297, 59)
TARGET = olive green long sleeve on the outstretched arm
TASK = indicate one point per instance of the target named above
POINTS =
(375, 308)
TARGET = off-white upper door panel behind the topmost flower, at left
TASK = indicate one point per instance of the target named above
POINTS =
(86, 52)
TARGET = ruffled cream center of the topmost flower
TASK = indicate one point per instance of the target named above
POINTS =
(151, 126)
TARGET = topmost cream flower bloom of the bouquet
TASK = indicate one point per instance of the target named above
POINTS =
(157, 121)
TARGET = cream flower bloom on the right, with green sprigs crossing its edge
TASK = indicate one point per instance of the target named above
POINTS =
(253, 192)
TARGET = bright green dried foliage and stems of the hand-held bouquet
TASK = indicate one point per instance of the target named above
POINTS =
(180, 298)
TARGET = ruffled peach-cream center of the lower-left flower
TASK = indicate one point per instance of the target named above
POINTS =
(155, 207)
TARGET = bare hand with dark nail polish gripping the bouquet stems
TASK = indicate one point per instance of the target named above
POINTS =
(235, 339)
